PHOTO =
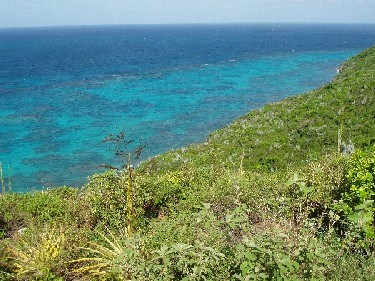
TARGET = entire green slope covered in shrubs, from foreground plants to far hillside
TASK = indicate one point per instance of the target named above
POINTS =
(277, 194)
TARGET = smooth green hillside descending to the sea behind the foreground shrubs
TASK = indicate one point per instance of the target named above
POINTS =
(296, 130)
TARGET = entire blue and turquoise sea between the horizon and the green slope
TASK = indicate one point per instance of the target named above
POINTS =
(64, 89)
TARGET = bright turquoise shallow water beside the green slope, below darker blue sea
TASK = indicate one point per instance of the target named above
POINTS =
(53, 124)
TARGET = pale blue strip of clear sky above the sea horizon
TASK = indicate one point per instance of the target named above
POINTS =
(30, 13)
